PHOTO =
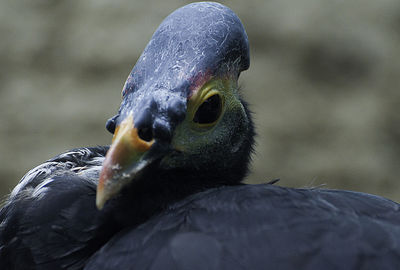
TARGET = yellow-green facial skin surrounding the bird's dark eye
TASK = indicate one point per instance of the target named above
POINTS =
(213, 140)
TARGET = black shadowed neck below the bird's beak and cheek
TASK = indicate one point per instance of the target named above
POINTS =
(162, 187)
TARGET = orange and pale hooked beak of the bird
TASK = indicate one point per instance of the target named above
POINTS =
(125, 161)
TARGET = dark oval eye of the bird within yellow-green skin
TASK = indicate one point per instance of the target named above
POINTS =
(209, 111)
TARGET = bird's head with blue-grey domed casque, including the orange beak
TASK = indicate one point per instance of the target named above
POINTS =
(181, 110)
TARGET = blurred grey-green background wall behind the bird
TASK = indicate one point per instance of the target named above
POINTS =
(323, 84)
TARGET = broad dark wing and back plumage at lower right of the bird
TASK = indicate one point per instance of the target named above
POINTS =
(262, 227)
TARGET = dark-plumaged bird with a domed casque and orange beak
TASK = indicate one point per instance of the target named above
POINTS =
(168, 192)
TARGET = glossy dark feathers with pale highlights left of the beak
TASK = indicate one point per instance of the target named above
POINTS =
(51, 222)
